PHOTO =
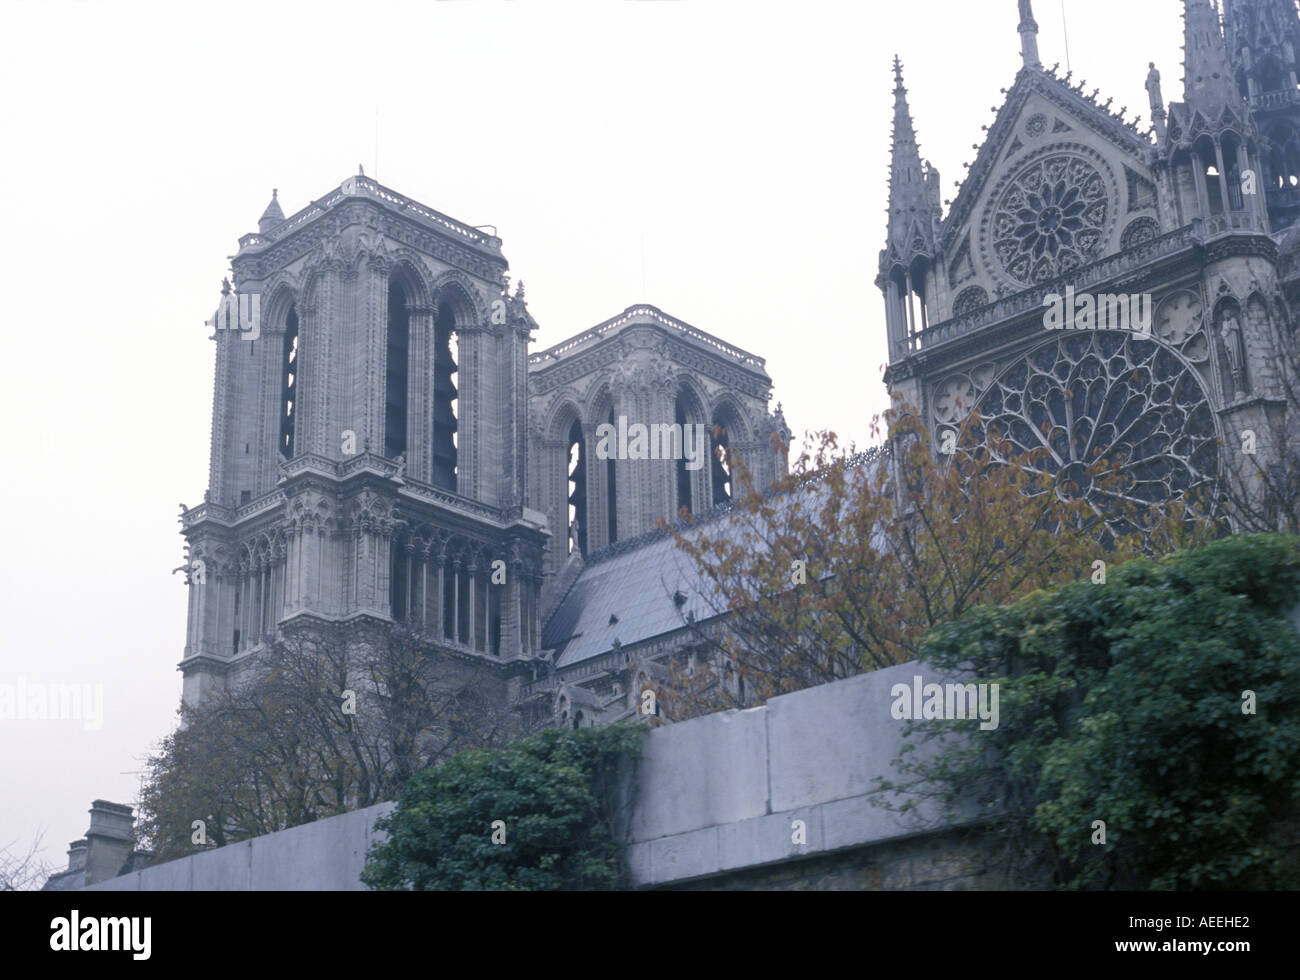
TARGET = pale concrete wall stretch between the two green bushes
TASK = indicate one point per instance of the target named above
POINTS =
(723, 793)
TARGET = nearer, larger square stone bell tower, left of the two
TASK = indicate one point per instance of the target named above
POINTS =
(369, 439)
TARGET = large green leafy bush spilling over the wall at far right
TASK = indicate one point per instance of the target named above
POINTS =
(1125, 703)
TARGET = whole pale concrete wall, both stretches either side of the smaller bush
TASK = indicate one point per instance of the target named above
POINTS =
(714, 796)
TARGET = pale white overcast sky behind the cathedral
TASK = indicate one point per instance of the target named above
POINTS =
(726, 162)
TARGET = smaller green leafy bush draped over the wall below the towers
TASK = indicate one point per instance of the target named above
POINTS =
(558, 795)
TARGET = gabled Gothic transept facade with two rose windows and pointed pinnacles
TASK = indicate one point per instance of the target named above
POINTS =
(1068, 200)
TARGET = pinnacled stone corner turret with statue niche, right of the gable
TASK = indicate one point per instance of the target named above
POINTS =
(1212, 157)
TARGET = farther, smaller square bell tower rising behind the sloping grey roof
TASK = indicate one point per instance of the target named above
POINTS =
(651, 370)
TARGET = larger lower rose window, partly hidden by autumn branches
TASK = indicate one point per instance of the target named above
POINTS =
(1110, 397)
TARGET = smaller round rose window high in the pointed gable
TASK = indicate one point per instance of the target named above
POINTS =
(1052, 219)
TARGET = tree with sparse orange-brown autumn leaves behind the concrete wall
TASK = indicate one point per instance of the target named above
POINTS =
(850, 561)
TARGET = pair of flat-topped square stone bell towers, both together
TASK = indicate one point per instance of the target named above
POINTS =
(385, 450)
